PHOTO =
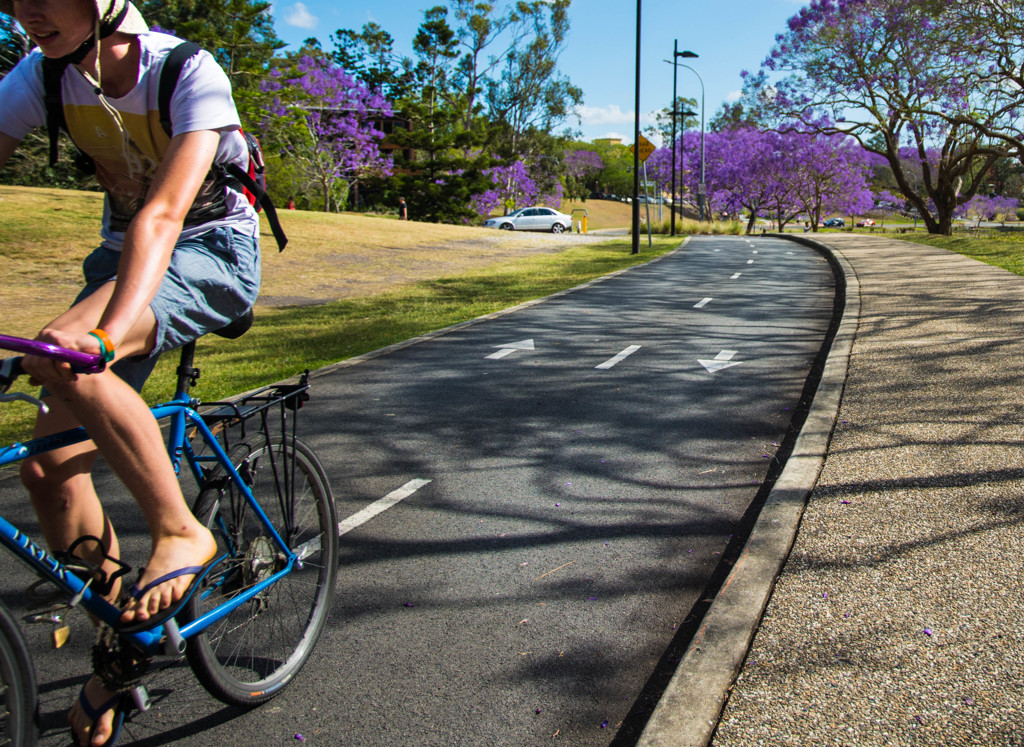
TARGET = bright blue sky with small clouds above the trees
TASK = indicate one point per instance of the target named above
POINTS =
(730, 36)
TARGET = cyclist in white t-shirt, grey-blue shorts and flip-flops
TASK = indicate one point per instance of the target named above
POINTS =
(180, 258)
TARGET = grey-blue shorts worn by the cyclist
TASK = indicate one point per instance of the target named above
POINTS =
(212, 280)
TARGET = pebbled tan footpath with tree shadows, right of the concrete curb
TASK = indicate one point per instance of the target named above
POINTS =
(898, 619)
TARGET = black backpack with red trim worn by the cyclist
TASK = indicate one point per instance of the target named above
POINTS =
(251, 182)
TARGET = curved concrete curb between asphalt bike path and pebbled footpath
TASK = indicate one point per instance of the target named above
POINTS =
(689, 712)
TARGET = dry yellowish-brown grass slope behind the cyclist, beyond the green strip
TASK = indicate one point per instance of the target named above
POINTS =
(46, 234)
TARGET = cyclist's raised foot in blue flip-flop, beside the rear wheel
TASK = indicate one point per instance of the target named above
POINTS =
(170, 558)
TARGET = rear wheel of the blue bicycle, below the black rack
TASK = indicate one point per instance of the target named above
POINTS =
(248, 657)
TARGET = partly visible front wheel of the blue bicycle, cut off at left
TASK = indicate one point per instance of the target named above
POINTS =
(18, 685)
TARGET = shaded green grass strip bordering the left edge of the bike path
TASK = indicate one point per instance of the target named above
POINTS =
(287, 341)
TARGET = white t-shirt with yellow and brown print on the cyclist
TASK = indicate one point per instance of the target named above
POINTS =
(126, 161)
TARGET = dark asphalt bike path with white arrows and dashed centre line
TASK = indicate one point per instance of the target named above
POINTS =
(532, 507)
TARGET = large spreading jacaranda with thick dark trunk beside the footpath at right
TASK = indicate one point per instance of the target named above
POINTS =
(881, 71)
